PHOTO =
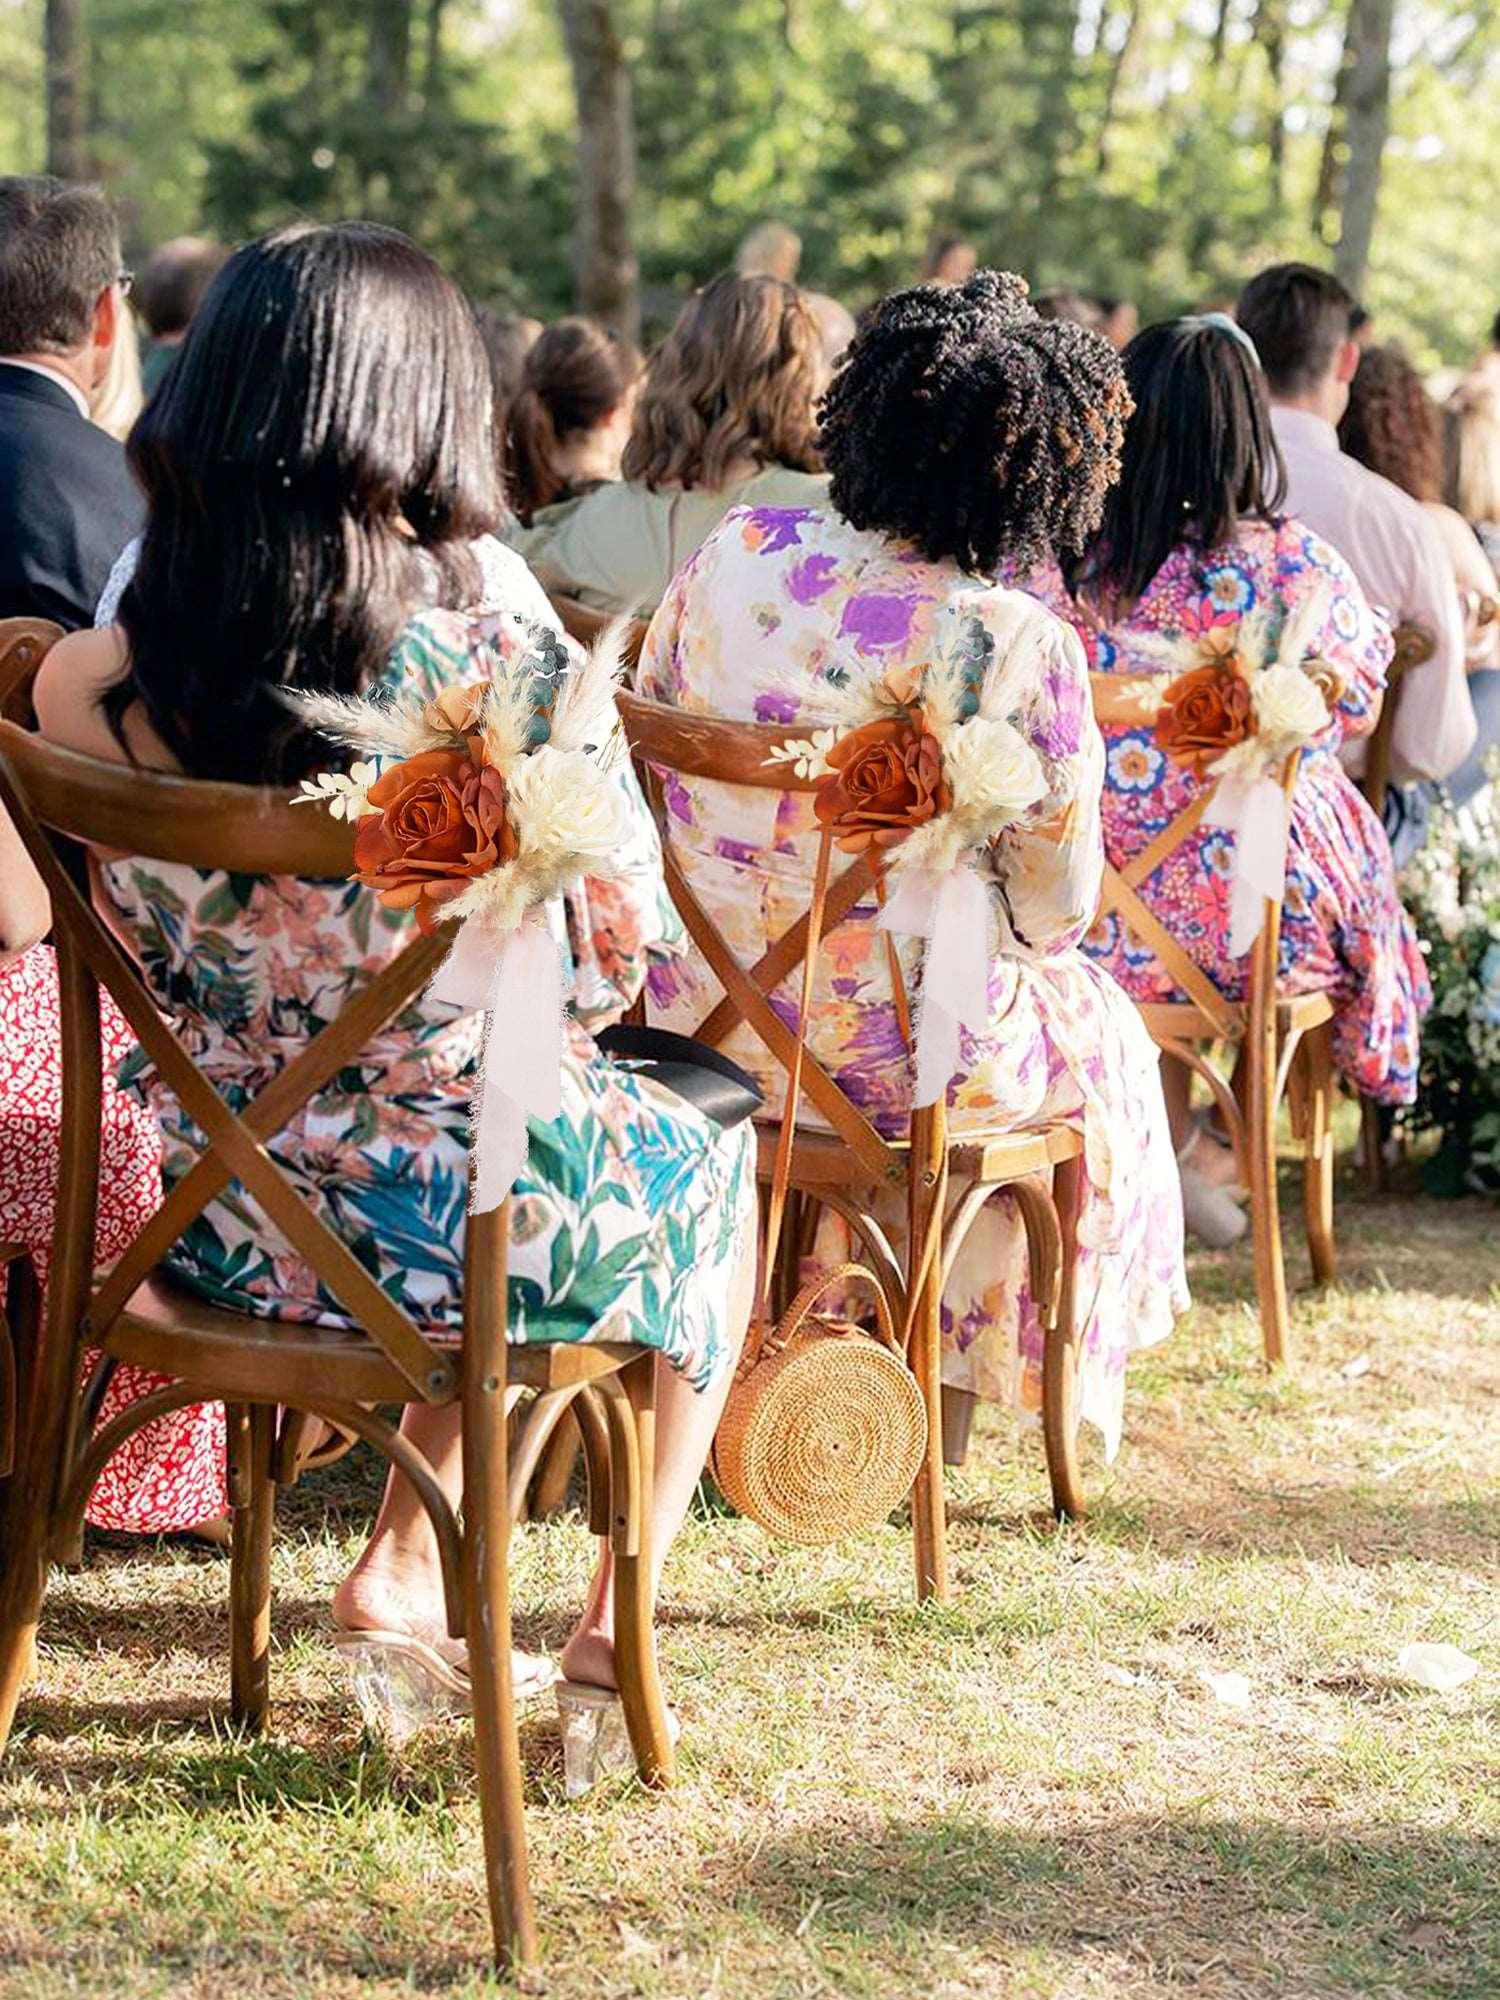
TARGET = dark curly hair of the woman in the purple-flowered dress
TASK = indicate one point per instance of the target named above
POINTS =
(971, 427)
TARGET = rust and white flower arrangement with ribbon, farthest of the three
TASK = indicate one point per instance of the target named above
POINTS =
(1251, 697)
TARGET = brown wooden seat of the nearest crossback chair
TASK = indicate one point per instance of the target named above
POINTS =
(241, 1359)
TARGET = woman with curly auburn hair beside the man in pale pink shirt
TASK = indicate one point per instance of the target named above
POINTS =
(1395, 429)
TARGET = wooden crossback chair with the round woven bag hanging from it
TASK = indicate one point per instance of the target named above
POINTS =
(947, 1179)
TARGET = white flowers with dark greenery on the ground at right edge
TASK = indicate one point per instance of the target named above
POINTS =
(1453, 893)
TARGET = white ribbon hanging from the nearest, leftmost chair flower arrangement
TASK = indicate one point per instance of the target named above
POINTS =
(519, 987)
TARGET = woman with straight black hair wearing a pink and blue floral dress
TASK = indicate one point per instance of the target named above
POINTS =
(1193, 539)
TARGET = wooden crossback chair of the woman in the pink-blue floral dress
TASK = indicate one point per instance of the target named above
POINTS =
(1285, 1039)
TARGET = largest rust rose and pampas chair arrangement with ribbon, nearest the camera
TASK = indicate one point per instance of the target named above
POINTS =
(483, 805)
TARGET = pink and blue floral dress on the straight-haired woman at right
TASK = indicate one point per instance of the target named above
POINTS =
(1343, 923)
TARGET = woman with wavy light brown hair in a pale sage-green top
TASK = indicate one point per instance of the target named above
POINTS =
(725, 419)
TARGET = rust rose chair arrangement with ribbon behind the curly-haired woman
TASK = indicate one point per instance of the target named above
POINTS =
(927, 773)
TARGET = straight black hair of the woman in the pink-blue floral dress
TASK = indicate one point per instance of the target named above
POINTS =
(1199, 457)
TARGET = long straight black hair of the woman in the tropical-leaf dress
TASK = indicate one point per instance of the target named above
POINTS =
(317, 467)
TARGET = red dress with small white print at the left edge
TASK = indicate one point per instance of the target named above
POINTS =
(171, 1473)
